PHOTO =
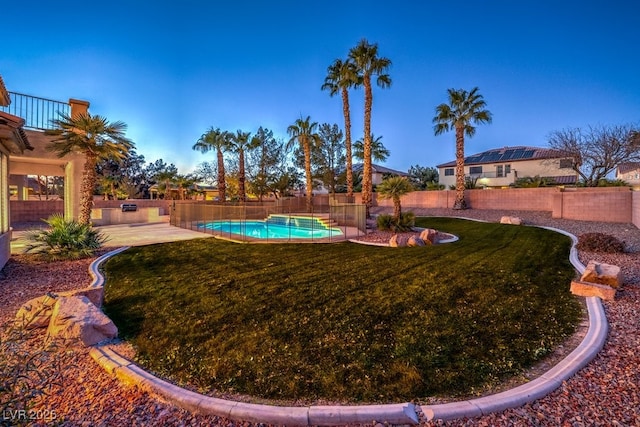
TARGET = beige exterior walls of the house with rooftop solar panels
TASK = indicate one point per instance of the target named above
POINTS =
(488, 177)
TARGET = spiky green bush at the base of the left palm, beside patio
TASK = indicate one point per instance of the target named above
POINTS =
(65, 239)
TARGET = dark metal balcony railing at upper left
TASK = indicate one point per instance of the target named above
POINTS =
(36, 112)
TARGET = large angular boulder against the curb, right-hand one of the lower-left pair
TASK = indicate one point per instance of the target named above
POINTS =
(77, 318)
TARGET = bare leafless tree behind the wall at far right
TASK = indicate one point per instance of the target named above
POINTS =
(597, 151)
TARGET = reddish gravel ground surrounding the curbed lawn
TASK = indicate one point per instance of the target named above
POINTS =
(604, 393)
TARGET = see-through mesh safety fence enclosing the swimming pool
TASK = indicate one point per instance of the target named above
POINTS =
(291, 218)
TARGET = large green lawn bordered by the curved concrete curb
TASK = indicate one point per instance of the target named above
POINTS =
(345, 321)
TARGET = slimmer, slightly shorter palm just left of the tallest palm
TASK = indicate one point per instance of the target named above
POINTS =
(342, 76)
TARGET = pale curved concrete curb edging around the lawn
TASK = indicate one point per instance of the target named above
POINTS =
(402, 413)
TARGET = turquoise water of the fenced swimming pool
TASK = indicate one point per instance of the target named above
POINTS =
(269, 230)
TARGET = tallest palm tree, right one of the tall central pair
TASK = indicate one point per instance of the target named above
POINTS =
(368, 64)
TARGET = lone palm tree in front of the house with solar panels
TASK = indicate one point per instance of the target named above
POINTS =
(464, 108)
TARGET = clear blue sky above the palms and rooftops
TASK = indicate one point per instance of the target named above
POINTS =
(171, 71)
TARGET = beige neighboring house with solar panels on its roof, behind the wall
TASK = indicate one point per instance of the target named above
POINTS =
(501, 167)
